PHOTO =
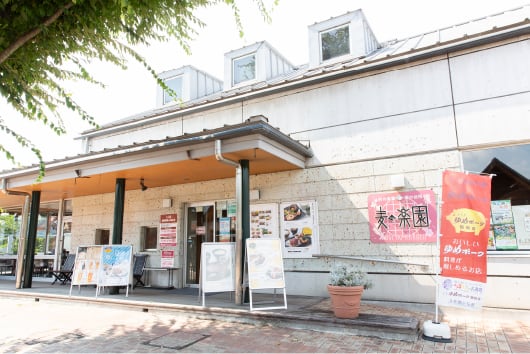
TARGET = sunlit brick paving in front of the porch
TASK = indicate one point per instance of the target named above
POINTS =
(29, 326)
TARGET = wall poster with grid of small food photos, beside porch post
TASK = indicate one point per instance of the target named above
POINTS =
(264, 220)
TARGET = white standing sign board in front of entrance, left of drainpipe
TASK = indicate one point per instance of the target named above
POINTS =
(217, 267)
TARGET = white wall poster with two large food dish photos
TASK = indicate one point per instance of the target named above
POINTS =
(299, 227)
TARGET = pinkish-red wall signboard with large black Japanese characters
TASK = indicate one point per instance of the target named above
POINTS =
(402, 217)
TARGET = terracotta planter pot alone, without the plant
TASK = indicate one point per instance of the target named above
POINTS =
(346, 300)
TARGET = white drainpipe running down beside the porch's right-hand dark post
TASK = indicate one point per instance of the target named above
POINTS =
(239, 234)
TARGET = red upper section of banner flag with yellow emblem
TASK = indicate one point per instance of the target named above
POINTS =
(464, 227)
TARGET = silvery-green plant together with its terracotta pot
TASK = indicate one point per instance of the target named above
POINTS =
(345, 289)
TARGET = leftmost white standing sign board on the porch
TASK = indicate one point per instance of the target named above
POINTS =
(86, 267)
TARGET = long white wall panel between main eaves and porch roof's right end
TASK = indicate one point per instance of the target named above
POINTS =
(391, 93)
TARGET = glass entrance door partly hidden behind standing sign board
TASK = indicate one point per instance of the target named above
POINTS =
(200, 227)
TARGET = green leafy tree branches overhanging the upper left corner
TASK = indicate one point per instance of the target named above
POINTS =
(46, 43)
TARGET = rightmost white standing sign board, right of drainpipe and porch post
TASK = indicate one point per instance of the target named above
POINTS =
(265, 267)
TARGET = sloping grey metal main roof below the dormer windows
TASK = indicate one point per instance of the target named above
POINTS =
(490, 28)
